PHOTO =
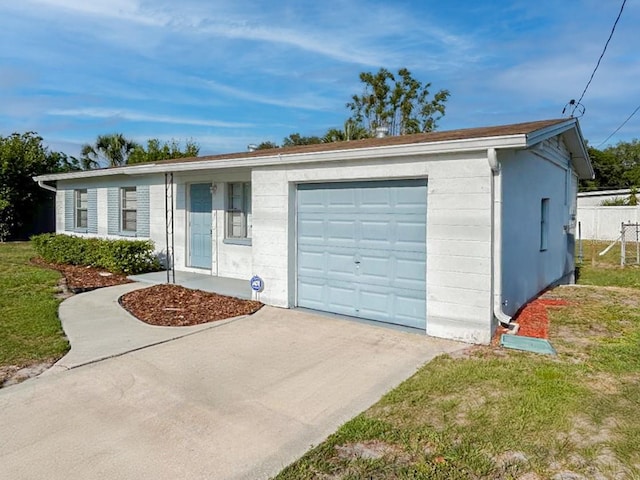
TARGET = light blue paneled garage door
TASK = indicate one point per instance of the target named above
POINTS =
(361, 249)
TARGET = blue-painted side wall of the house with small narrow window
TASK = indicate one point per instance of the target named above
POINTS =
(527, 179)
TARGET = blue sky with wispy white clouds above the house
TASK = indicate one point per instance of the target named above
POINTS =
(230, 73)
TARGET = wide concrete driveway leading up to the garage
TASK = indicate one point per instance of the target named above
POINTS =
(240, 401)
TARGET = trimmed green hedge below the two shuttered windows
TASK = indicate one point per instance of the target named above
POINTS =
(117, 256)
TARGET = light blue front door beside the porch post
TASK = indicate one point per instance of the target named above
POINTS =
(200, 225)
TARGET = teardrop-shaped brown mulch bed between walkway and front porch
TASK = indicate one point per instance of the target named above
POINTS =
(173, 305)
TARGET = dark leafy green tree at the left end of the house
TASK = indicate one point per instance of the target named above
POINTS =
(23, 156)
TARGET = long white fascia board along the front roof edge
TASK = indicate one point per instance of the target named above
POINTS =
(430, 148)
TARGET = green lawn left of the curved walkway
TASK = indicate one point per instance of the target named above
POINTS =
(30, 331)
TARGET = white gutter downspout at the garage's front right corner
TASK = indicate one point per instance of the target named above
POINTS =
(496, 238)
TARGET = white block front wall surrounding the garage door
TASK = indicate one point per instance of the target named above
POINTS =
(458, 234)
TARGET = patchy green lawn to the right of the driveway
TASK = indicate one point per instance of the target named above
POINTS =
(501, 414)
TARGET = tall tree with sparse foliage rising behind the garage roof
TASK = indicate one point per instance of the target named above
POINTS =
(399, 103)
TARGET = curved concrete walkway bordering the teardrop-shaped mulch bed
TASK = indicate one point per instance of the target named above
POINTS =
(98, 327)
